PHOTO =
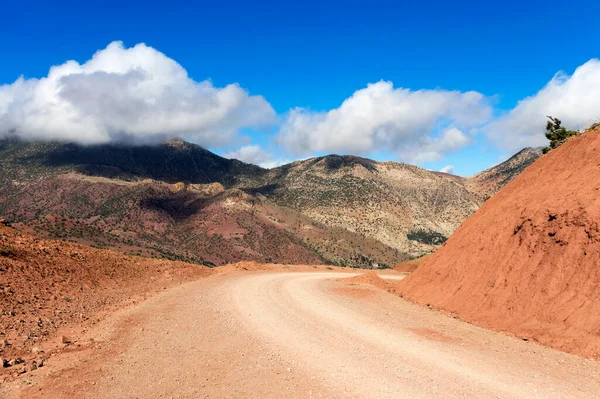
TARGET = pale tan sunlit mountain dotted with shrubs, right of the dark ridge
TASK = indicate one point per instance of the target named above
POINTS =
(402, 206)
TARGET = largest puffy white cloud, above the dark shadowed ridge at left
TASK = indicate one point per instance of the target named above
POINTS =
(133, 94)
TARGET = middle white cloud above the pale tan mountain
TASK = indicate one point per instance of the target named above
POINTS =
(394, 119)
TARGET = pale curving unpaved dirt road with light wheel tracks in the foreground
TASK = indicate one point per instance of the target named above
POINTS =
(300, 334)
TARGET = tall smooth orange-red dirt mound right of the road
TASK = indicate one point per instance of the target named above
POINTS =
(528, 262)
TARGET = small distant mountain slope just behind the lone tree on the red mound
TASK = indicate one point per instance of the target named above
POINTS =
(490, 181)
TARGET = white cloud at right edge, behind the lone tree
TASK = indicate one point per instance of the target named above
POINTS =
(573, 99)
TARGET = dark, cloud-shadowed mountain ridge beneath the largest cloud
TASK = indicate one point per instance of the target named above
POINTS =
(172, 162)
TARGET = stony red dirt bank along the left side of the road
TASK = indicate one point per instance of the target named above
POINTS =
(46, 285)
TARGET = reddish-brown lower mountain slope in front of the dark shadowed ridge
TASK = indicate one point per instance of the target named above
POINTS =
(204, 224)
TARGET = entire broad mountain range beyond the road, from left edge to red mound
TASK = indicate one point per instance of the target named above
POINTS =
(180, 201)
